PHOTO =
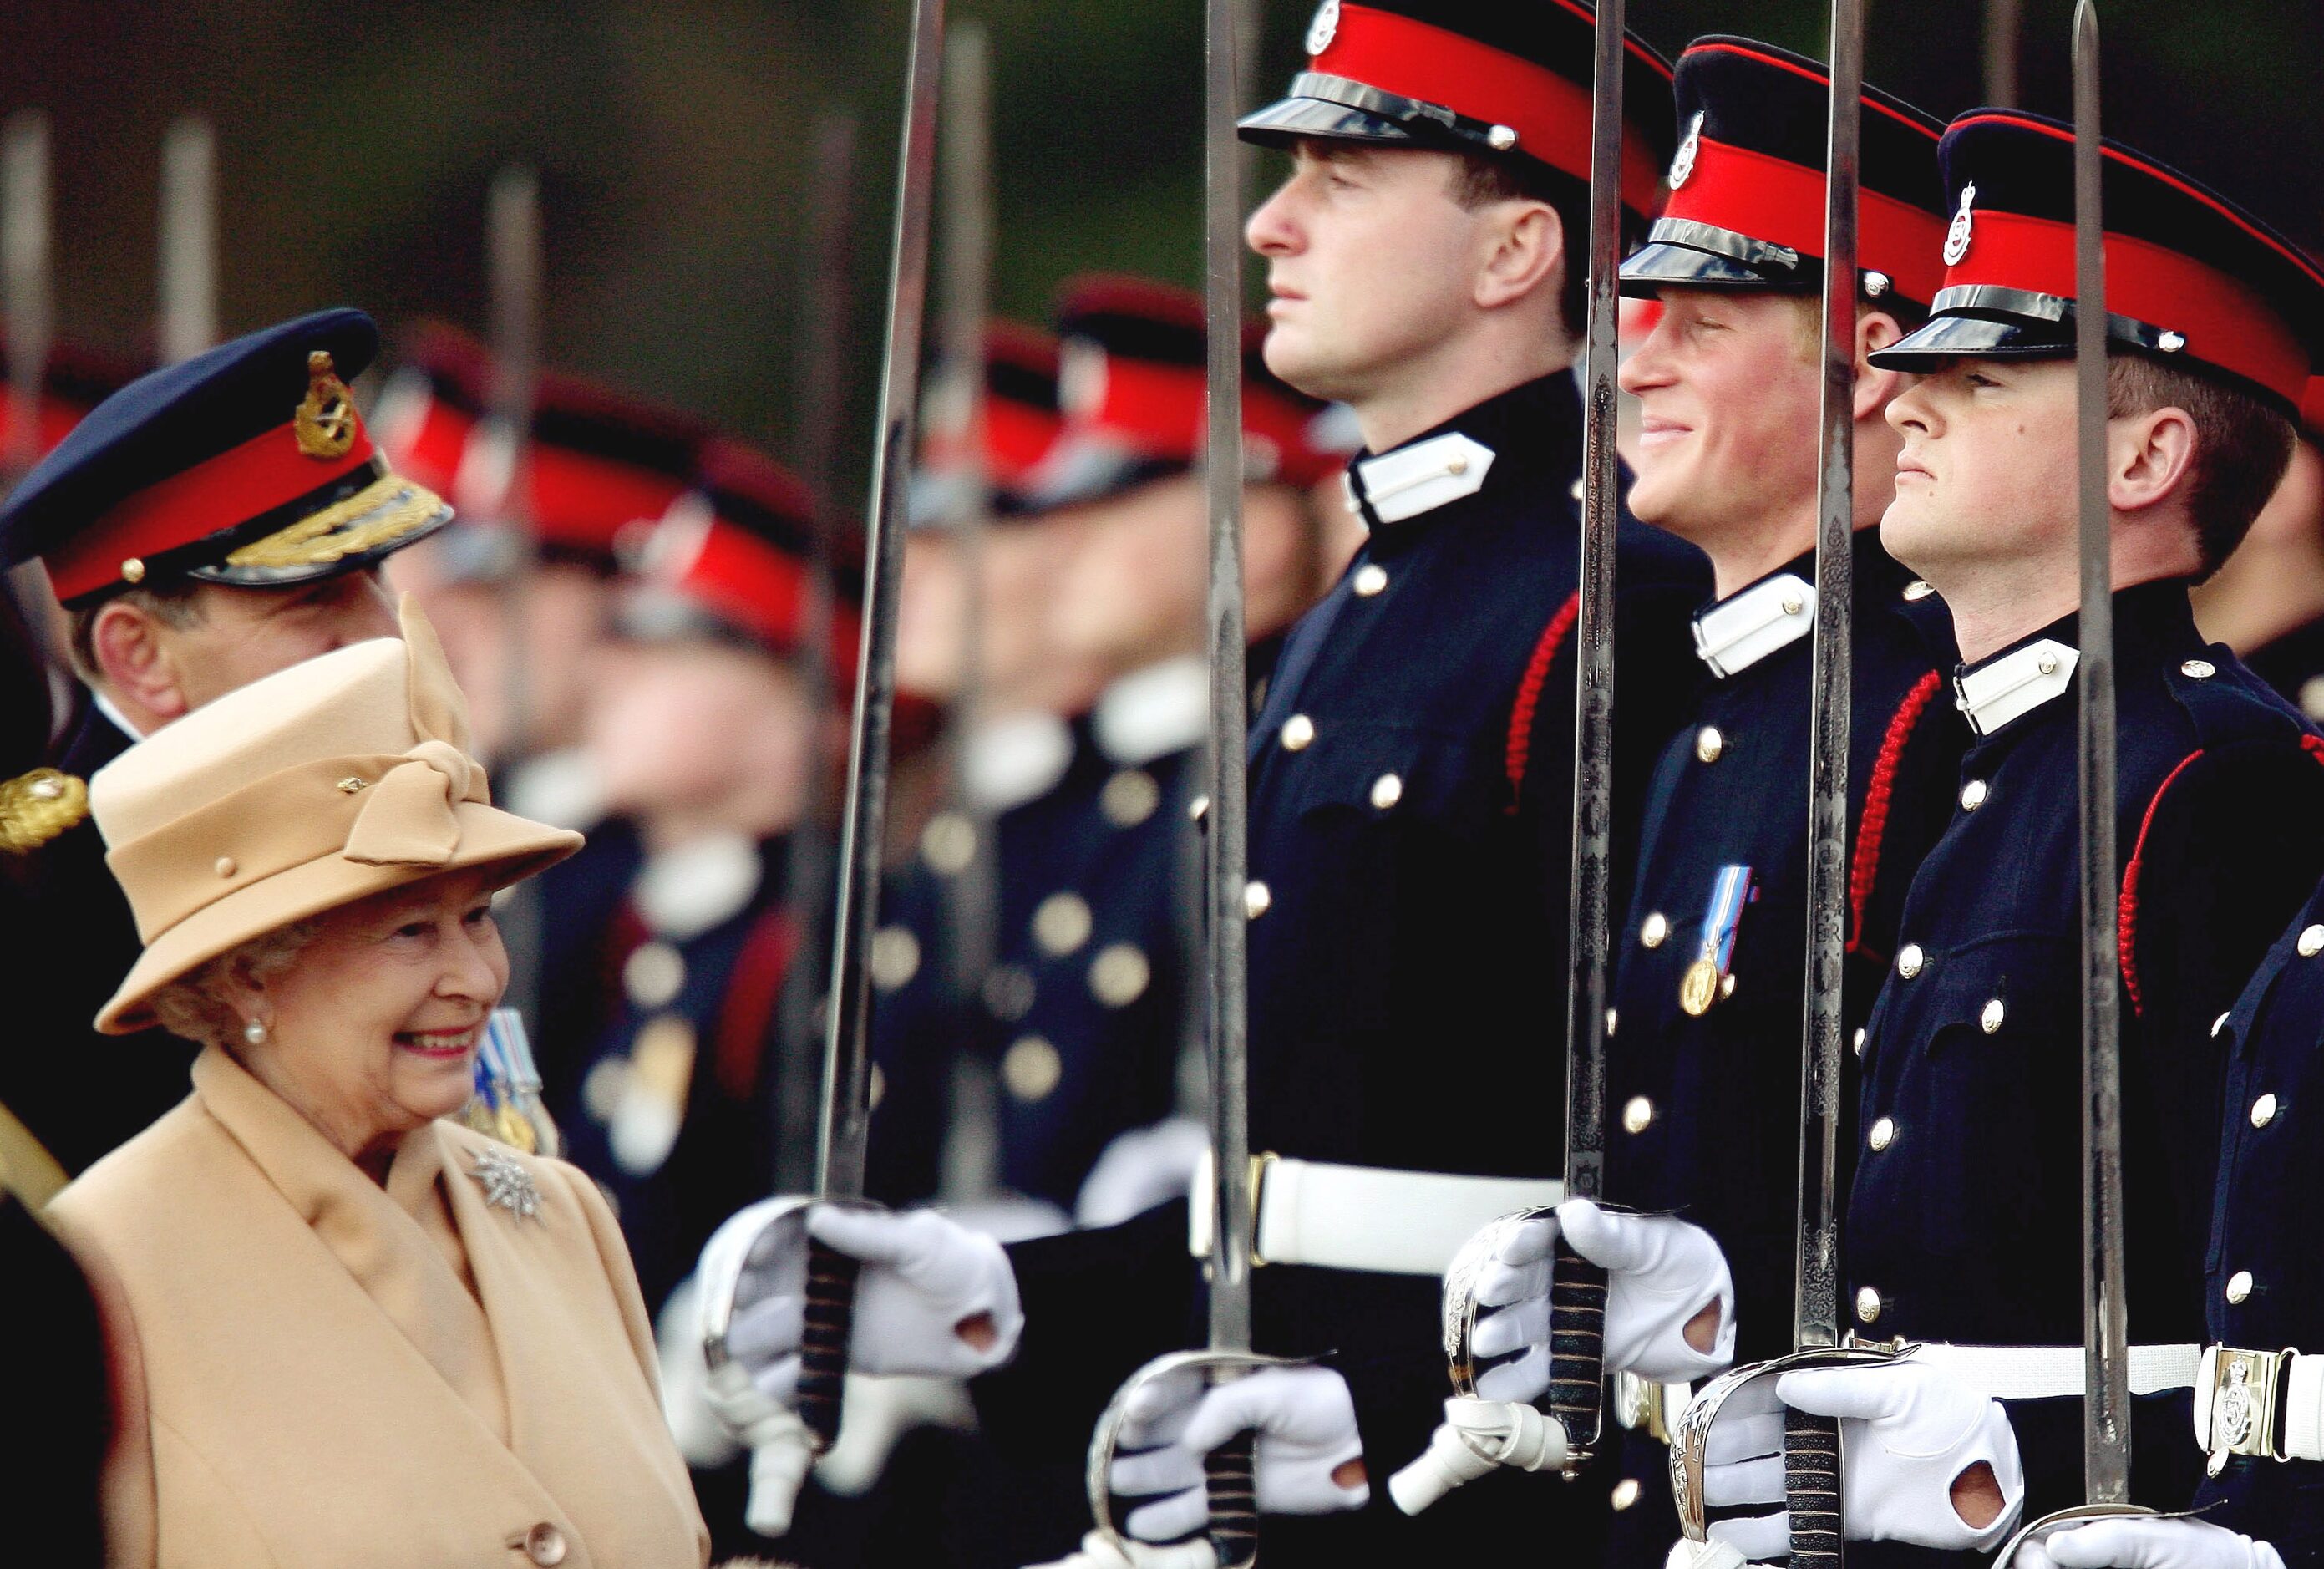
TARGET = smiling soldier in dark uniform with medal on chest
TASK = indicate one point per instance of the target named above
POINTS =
(1712, 963)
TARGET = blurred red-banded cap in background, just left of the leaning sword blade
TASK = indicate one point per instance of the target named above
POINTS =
(736, 559)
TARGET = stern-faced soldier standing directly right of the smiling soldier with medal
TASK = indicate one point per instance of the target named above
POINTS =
(1963, 1221)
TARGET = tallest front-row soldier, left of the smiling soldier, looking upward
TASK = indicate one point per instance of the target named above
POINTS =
(1412, 782)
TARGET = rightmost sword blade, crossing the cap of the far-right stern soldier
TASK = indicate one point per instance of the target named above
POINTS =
(2107, 1407)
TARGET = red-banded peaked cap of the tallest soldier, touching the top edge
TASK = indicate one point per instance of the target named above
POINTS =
(1472, 76)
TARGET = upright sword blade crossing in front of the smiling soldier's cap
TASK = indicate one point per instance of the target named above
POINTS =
(1816, 1298)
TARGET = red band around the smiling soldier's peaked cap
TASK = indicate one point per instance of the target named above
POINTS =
(1784, 203)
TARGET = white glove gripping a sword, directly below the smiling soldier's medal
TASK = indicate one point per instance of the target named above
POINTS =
(1660, 1273)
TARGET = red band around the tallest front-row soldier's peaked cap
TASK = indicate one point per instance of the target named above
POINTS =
(1549, 113)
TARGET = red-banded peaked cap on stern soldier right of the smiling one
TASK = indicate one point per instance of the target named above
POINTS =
(2190, 278)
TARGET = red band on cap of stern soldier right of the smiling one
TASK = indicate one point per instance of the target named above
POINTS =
(2223, 320)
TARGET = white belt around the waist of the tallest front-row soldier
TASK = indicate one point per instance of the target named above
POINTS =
(1365, 1217)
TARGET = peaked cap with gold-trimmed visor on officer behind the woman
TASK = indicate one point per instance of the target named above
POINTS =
(243, 466)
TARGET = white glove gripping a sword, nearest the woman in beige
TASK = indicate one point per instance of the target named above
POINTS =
(933, 1296)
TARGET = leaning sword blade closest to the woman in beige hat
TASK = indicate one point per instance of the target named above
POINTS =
(847, 1063)
